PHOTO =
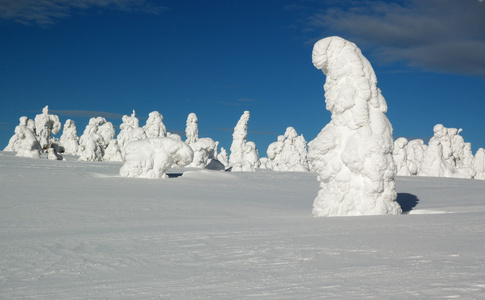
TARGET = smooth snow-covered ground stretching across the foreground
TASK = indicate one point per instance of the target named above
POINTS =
(219, 235)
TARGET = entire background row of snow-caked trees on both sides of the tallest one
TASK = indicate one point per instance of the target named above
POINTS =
(447, 155)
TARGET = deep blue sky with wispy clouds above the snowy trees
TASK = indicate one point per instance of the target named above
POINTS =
(88, 58)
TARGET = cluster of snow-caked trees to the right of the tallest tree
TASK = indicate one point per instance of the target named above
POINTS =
(446, 155)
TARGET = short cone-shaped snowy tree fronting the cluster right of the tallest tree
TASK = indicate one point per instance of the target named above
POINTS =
(434, 163)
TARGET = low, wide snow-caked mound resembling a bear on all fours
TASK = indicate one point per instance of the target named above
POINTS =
(151, 158)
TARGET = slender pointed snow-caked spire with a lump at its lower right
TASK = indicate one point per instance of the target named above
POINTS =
(243, 158)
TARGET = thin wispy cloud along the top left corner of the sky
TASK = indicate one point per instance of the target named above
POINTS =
(48, 12)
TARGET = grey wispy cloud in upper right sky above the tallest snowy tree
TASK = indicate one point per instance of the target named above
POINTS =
(438, 35)
